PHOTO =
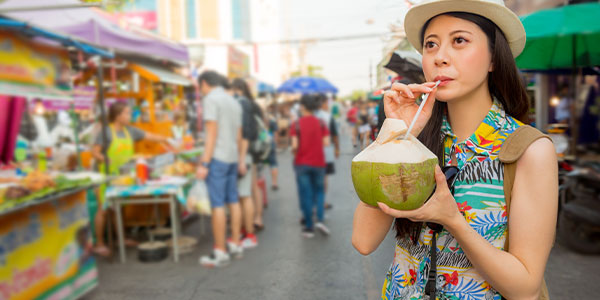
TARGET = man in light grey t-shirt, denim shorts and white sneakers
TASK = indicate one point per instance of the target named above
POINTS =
(219, 165)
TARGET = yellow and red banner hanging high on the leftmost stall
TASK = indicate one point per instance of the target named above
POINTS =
(29, 63)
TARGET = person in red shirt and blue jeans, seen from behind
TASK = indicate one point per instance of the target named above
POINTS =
(309, 136)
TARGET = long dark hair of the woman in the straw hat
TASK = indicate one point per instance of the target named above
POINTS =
(504, 84)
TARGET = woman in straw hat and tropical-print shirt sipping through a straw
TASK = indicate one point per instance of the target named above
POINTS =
(470, 46)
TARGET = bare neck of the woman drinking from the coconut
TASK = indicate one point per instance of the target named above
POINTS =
(466, 114)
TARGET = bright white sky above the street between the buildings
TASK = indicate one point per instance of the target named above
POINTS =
(345, 63)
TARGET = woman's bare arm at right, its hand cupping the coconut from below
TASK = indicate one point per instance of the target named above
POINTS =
(516, 274)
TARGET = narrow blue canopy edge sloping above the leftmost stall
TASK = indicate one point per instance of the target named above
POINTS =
(66, 41)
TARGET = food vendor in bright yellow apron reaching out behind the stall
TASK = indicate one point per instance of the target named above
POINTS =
(121, 138)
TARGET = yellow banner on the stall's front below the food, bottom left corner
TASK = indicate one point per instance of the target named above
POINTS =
(45, 251)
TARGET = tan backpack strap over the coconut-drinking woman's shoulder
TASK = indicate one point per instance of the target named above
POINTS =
(512, 149)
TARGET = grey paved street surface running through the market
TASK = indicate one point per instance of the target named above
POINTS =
(286, 266)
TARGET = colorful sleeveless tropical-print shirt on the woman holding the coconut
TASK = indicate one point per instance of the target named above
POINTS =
(479, 195)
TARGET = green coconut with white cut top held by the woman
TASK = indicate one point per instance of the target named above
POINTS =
(396, 171)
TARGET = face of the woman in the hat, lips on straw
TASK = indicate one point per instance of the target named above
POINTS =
(456, 52)
